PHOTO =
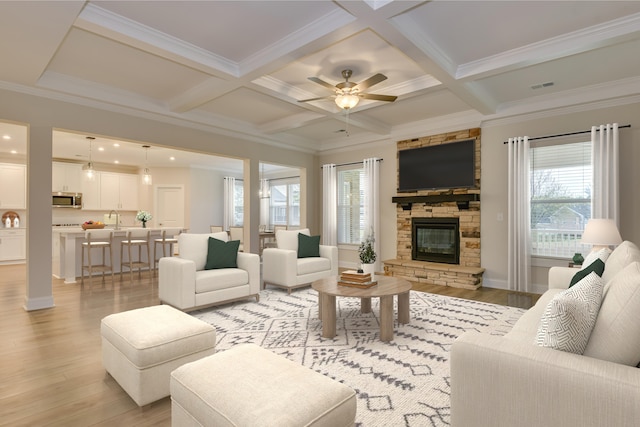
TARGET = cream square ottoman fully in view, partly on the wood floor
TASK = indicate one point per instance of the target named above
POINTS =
(141, 347)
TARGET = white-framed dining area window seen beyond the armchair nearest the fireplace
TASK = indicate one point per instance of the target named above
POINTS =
(284, 204)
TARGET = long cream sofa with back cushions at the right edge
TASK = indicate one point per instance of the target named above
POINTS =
(510, 381)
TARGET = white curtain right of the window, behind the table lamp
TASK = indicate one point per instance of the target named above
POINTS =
(605, 199)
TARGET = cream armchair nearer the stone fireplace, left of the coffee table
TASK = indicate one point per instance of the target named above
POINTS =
(282, 267)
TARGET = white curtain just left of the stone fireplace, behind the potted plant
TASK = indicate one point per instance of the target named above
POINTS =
(371, 204)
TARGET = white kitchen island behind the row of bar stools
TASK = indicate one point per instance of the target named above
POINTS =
(67, 250)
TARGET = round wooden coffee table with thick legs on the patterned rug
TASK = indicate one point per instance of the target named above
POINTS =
(328, 289)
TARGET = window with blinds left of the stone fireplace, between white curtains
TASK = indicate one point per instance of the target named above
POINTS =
(350, 206)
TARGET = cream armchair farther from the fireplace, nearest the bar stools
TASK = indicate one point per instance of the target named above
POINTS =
(185, 284)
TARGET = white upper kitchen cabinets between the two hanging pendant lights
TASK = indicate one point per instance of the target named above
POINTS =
(118, 191)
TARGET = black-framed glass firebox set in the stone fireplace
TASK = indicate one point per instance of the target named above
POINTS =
(435, 240)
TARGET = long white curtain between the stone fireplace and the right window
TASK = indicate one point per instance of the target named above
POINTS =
(519, 216)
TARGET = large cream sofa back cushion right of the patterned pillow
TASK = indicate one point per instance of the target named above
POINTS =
(616, 334)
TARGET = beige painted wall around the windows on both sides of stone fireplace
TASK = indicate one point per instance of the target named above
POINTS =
(494, 182)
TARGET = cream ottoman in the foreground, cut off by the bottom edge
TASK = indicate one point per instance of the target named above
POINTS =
(249, 386)
